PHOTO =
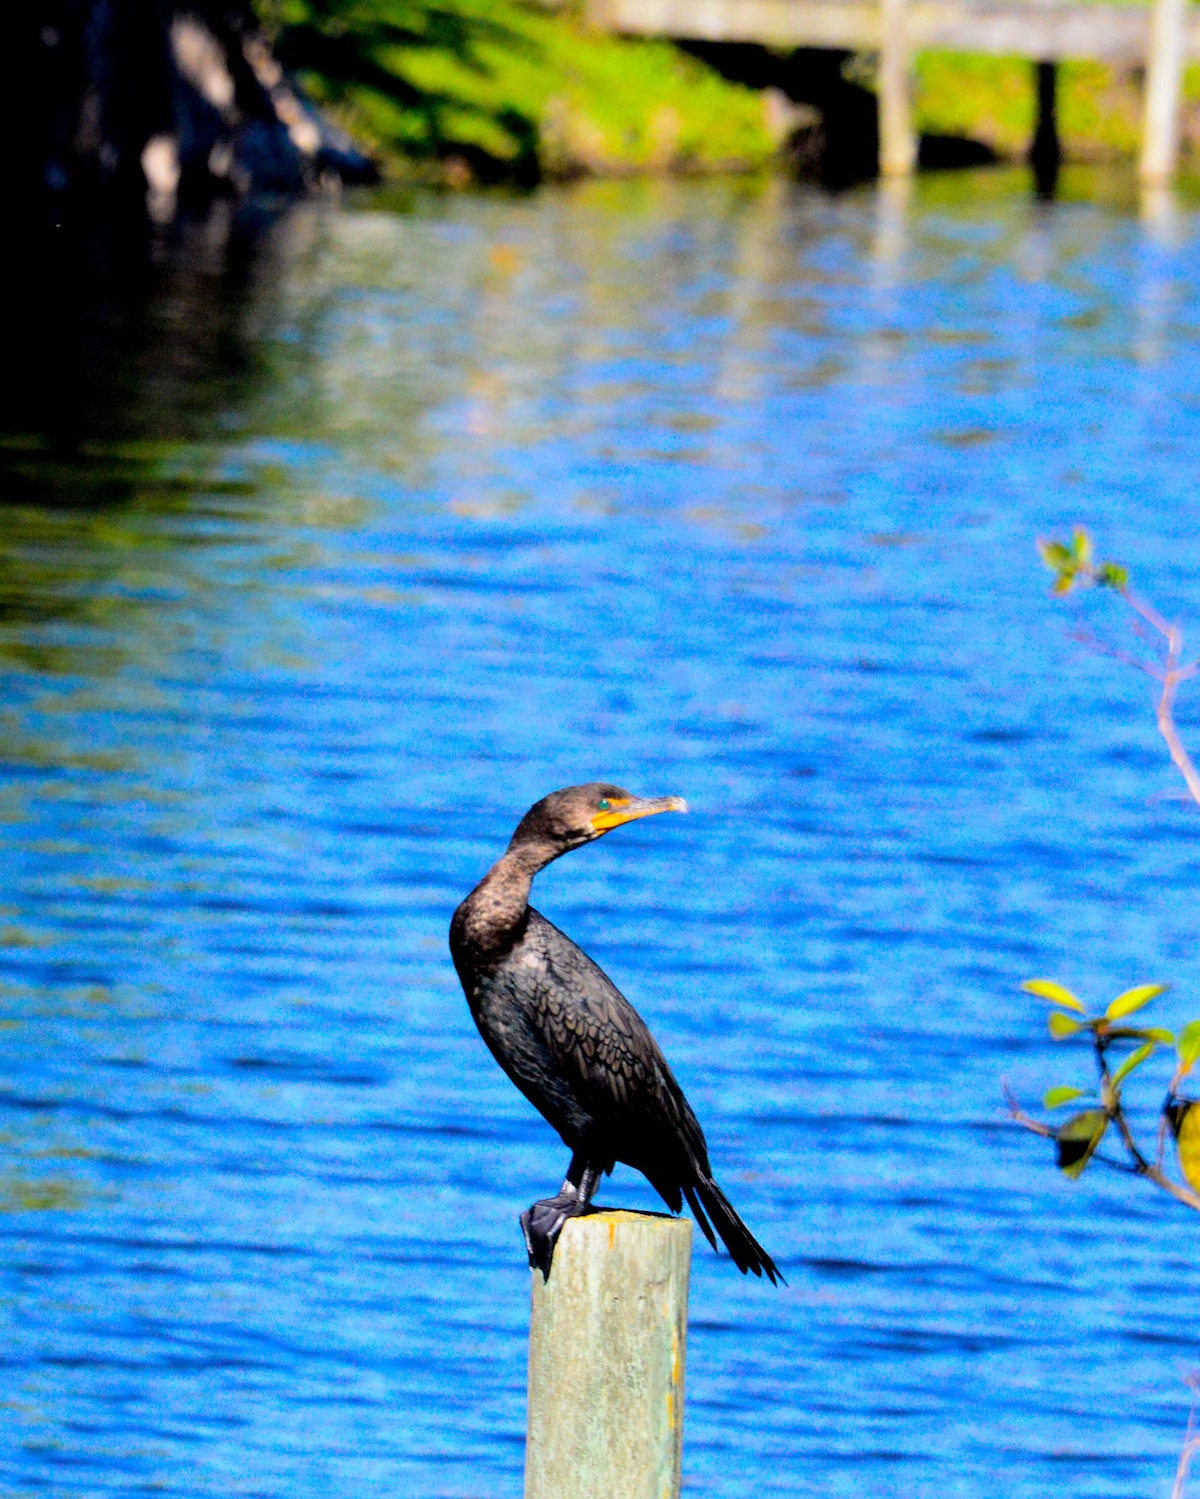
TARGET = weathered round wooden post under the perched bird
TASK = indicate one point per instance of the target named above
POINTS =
(607, 1344)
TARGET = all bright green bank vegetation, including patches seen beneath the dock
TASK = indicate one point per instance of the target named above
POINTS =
(513, 89)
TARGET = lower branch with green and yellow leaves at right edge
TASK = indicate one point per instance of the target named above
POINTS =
(1078, 1141)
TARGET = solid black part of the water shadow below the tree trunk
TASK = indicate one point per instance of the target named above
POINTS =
(127, 341)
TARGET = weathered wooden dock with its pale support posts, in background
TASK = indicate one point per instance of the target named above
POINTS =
(1160, 37)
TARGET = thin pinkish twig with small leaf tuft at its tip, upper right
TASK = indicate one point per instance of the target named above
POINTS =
(1075, 567)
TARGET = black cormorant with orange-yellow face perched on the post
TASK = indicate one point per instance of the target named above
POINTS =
(573, 1044)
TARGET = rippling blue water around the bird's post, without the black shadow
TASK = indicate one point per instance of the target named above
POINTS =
(381, 531)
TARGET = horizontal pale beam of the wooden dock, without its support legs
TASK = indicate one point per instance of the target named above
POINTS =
(1046, 31)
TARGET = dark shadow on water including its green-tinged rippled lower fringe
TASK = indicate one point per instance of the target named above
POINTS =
(134, 353)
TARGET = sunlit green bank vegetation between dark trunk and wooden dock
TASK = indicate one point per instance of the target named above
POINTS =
(503, 89)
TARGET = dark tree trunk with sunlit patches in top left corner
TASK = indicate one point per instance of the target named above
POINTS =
(134, 107)
